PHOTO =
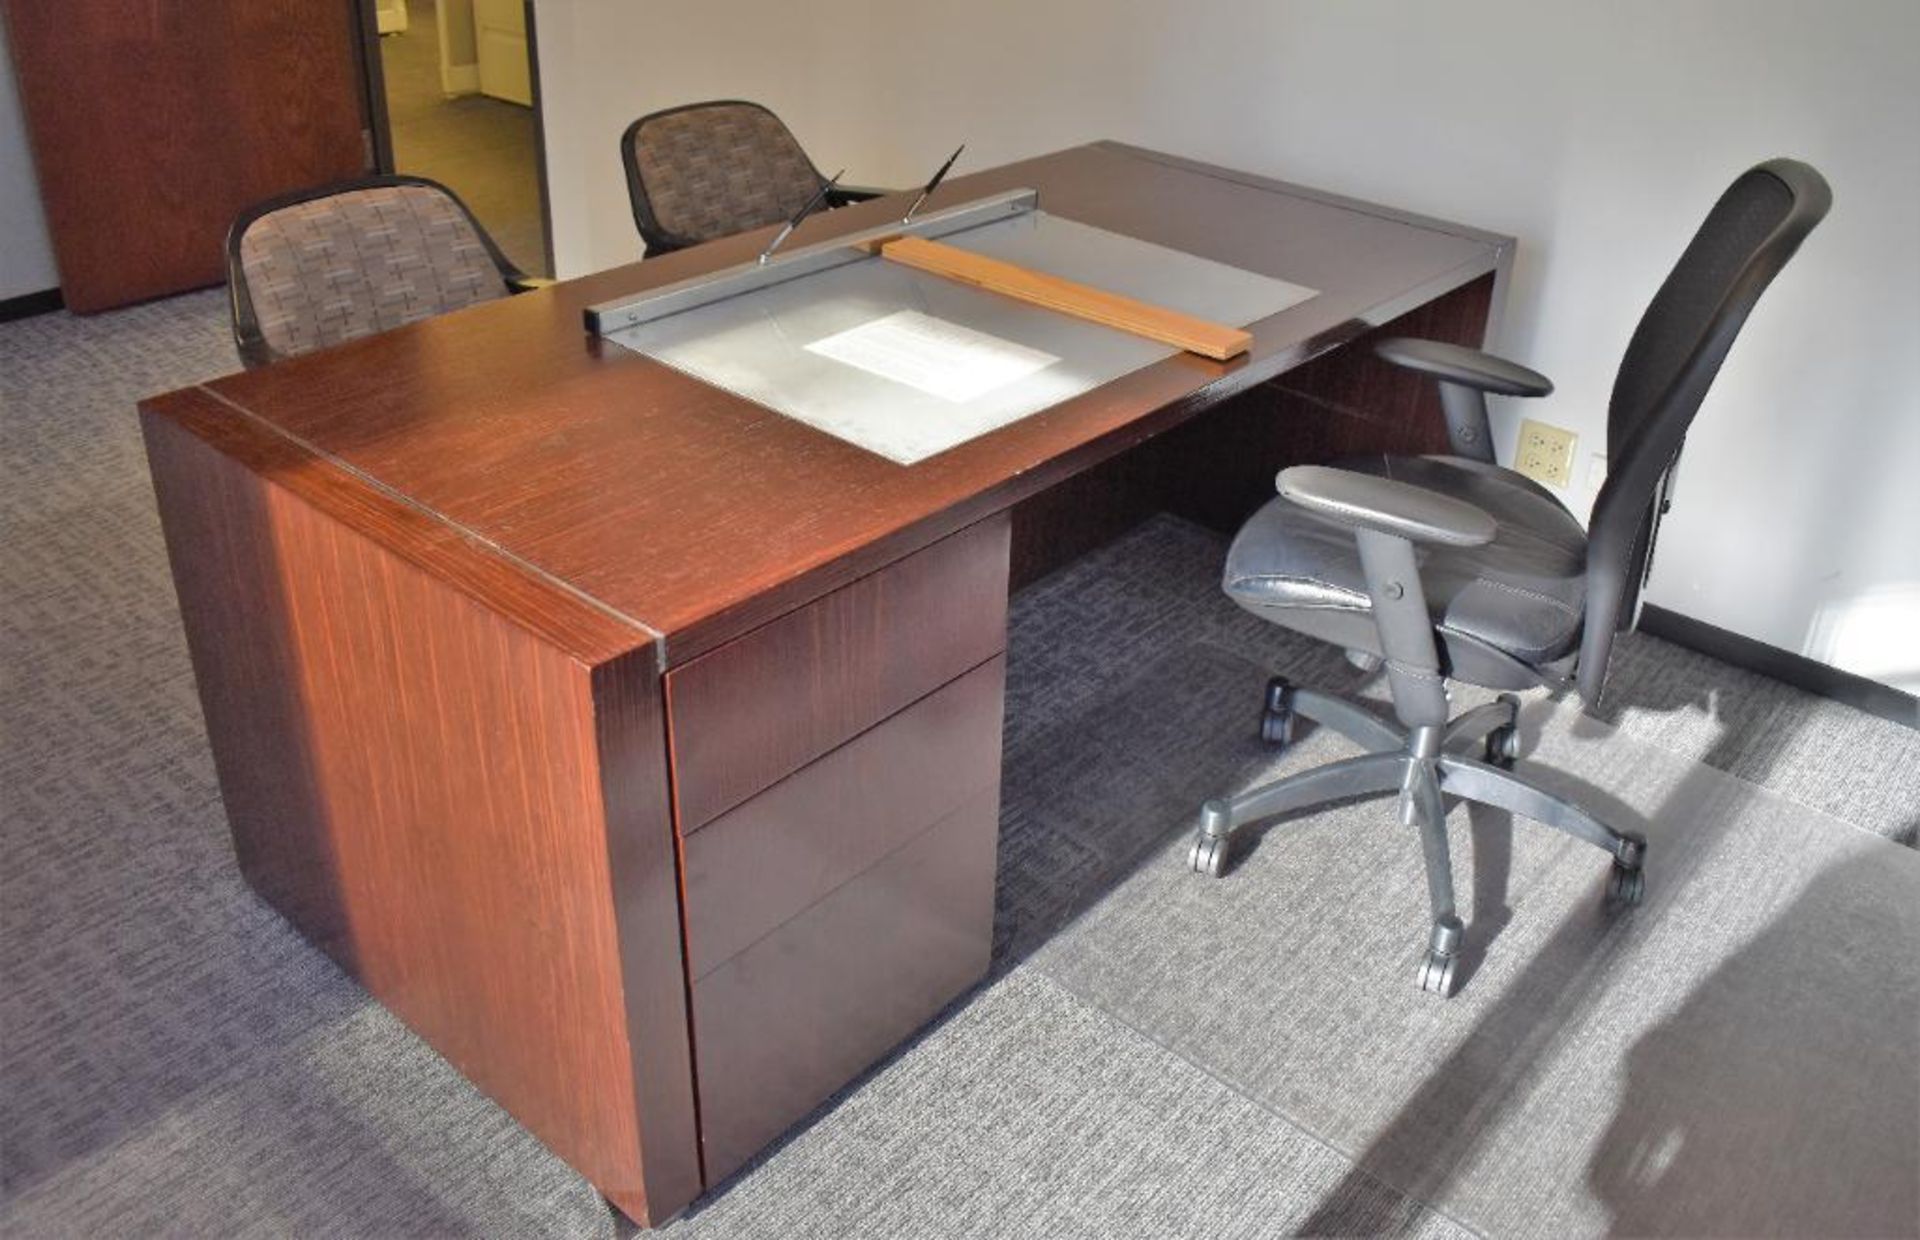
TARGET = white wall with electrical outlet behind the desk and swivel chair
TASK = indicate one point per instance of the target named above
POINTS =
(1596, 133)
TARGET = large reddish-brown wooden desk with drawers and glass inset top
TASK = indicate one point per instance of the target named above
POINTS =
(638, 746)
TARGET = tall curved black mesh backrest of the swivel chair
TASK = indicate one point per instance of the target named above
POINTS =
(1669, 364)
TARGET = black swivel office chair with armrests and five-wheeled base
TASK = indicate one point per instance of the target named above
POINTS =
(1456, 569)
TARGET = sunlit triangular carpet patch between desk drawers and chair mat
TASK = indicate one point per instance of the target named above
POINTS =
(1028, 1114)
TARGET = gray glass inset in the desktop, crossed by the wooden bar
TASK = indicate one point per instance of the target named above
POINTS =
(905, 364)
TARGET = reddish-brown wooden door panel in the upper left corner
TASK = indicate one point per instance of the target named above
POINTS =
(155, 124)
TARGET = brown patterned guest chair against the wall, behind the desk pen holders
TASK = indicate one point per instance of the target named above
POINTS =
(702, 172)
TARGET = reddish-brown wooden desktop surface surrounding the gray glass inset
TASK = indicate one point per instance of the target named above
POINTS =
(667, 512)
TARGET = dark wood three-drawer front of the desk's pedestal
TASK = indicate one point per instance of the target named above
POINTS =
(848, 901)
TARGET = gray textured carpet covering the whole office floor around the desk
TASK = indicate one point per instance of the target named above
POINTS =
(1155, 1055)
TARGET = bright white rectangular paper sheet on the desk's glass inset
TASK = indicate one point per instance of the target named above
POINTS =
(934, 356)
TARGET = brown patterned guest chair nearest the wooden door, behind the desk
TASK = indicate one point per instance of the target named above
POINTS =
(339, 262)
